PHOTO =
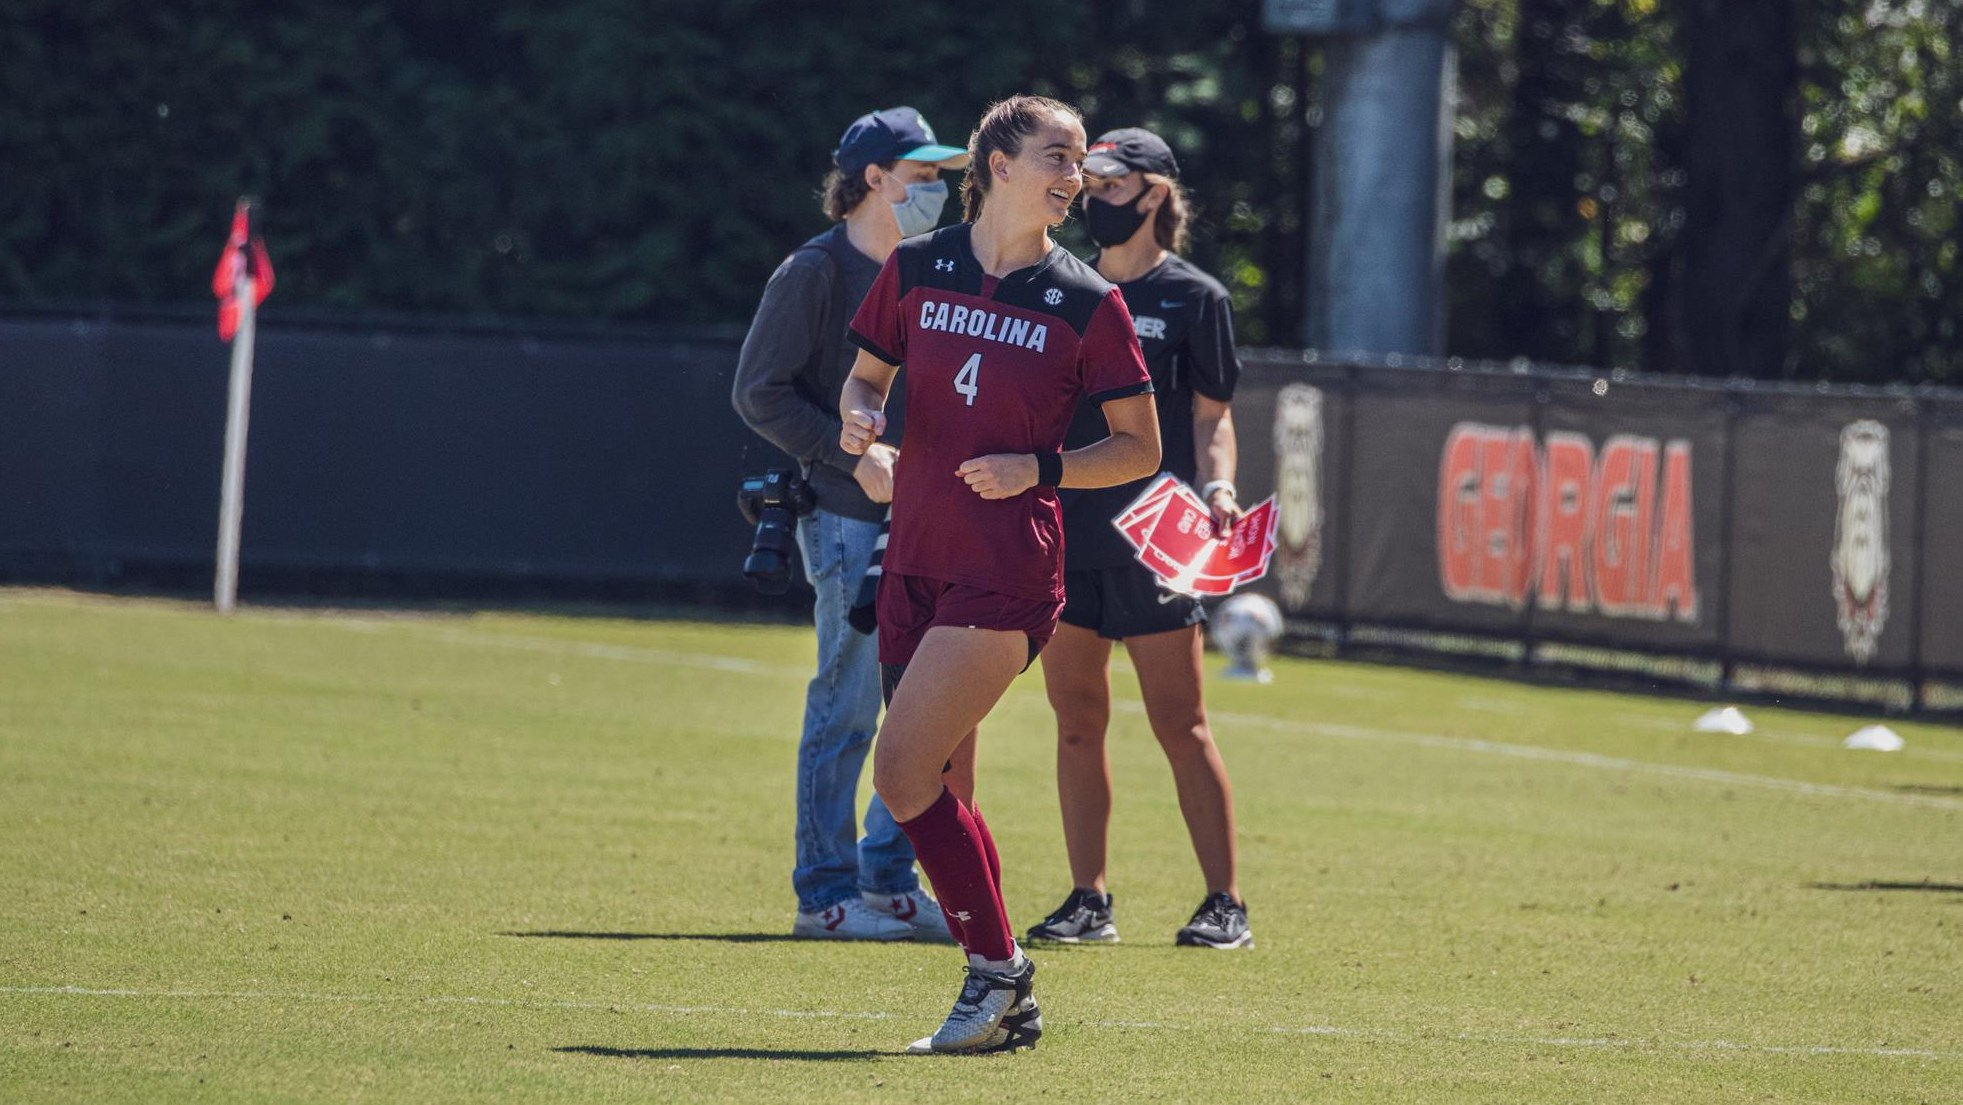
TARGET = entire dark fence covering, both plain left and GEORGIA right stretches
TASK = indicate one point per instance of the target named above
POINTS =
(1758, 537)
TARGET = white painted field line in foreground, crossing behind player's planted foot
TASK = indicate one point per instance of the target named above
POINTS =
(1379, 1035)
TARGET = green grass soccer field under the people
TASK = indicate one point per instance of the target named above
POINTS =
(303, 857)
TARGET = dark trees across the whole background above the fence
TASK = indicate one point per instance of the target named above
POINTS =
(653, 160)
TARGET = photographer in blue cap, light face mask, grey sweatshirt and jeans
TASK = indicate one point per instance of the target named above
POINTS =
(886, 185)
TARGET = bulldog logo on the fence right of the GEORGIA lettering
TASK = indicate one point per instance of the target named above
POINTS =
(1862, 537)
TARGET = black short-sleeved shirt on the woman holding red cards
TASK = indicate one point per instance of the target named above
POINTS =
(1185, 323)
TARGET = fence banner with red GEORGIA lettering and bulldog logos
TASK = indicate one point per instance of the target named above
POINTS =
(1779, 539)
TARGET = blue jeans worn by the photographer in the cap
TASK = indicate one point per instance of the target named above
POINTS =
(841, 717)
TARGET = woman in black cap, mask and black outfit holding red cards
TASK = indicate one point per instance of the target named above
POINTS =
(1138, 215)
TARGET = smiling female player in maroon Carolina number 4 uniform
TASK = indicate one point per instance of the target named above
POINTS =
(1002, 335)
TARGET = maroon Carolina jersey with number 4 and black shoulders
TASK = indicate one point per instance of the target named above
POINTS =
(992, 368)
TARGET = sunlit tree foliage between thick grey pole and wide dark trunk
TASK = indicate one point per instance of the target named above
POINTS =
(1569, 184)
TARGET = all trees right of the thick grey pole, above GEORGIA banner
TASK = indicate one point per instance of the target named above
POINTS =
(1609, 209)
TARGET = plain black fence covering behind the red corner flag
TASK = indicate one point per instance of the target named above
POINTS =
(427, 462)
